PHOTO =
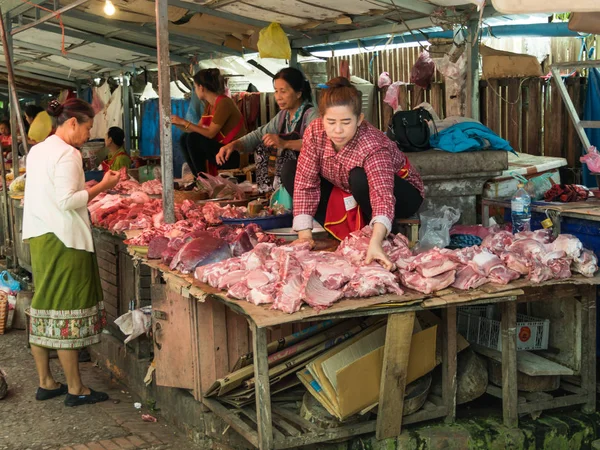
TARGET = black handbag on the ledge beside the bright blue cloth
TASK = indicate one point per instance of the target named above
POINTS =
(410, 130)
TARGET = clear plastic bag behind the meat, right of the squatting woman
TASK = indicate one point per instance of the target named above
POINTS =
(435, 228)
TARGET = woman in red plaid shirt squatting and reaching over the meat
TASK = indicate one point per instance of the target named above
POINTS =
(343, 153)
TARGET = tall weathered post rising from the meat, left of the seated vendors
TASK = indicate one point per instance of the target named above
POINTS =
(164, 107)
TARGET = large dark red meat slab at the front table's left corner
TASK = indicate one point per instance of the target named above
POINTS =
(203, 250)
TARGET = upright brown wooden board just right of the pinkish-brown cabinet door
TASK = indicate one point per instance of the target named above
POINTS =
(212, 339)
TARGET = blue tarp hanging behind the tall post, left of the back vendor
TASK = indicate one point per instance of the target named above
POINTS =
(149, 136)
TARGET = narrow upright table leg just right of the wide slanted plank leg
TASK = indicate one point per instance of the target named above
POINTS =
(449, 362)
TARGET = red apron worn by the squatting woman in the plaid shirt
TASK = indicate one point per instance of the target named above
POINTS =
(343, 215)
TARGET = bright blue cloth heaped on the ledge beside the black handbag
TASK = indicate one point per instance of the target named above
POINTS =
(468, 136)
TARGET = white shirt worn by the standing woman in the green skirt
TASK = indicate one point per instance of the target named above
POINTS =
(55, 195)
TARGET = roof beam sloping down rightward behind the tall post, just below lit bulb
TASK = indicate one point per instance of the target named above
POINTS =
(177, 38)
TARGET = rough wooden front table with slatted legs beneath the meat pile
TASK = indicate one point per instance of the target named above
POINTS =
(401, 314)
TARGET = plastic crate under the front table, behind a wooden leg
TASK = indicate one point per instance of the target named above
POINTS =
(532, 332)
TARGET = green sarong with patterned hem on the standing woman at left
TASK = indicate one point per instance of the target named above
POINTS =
(67, 310)
